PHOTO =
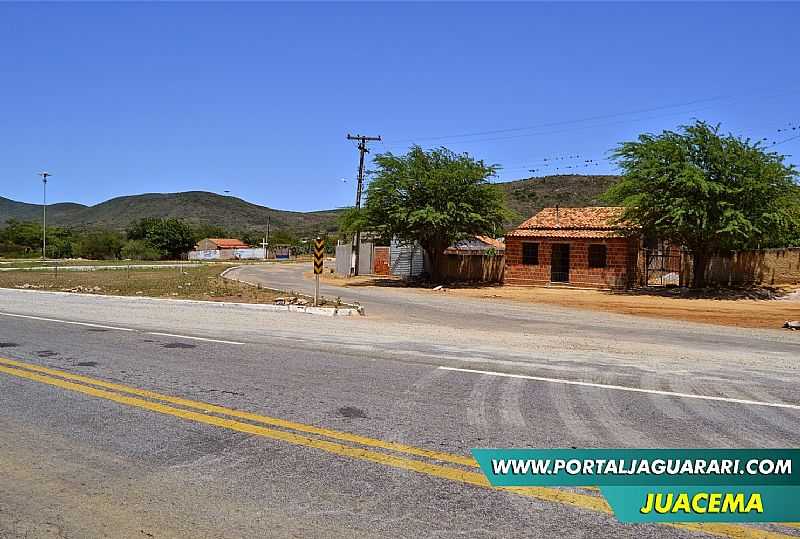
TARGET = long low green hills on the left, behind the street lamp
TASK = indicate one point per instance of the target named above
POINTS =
(196, 207)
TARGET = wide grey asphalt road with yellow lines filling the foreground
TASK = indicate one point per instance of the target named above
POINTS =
(341, 412)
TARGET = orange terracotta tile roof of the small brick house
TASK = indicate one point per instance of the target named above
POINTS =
(592, 222)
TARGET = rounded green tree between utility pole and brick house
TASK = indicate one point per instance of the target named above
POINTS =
(434, 197)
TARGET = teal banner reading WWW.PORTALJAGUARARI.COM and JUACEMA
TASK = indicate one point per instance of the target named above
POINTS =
(663, 485)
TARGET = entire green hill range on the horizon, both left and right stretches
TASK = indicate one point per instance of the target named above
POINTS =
(525, 197)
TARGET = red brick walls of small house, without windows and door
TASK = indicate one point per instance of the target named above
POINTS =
(619, 271)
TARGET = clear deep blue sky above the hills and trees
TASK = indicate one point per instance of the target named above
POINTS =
(117, 99)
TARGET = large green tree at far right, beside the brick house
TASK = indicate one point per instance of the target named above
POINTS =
(709, 192)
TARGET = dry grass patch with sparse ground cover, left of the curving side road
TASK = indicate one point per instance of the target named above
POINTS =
(201, 282)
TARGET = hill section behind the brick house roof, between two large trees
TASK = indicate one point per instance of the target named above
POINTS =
(528, 196)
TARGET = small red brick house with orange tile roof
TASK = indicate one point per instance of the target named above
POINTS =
(575, 246)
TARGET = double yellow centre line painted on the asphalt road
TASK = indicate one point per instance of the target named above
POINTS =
(448, 466)
